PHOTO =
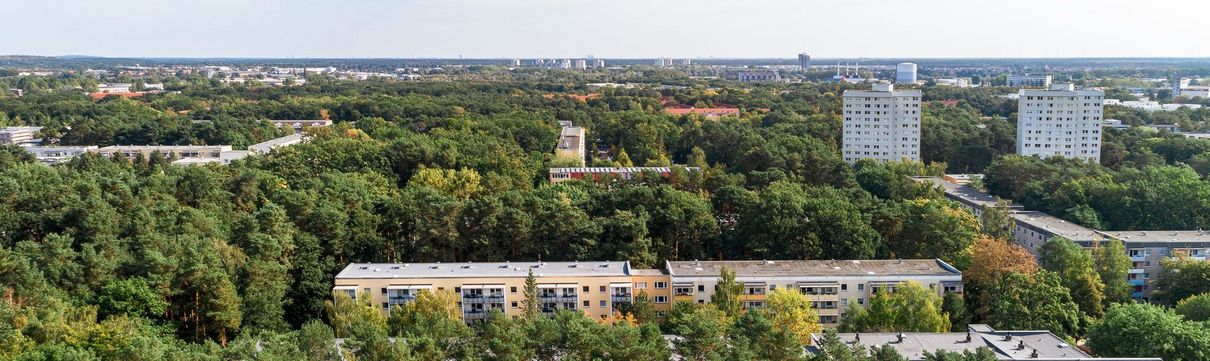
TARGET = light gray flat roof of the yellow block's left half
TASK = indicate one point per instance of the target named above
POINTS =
(487, 270)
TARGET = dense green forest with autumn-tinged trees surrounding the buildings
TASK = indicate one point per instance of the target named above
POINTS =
(141, 260)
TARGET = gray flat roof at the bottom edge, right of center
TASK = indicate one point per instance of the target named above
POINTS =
(1006, 345)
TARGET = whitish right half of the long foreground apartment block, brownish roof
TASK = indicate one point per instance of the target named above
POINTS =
(832, 285)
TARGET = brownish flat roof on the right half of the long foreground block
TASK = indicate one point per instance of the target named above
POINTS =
(813, 268)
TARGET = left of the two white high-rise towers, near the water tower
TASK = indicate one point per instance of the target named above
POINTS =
(881, 124)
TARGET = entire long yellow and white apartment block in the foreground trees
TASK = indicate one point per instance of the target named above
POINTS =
(600, 289)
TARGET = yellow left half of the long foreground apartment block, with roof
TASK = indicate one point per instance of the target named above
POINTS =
(597, 289)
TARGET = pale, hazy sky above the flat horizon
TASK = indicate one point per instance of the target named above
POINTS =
(607, 28)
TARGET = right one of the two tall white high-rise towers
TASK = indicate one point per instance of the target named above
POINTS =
(1061, 122)
